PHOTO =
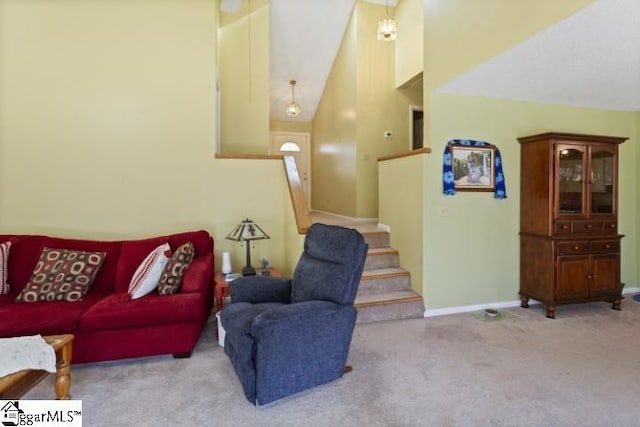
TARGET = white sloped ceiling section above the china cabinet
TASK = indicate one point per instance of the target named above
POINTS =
(590, 59)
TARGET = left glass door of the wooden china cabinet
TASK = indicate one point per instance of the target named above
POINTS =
(571, 179)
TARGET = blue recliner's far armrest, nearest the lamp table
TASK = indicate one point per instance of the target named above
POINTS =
(257, 289)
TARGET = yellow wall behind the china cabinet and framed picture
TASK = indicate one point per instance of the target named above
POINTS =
(471, 255)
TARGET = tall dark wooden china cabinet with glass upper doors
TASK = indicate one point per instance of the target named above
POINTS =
(569, 241)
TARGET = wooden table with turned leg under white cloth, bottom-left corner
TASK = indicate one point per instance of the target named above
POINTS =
(15, 385)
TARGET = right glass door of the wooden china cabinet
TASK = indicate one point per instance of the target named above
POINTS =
(602, 180)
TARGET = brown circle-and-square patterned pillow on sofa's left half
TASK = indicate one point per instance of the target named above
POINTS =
(62, 275)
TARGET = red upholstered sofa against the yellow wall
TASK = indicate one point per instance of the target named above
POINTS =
(106, 326)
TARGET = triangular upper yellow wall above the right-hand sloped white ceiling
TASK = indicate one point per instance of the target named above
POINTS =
(459, 35)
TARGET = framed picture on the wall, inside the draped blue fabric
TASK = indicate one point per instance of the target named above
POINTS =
(473, 167)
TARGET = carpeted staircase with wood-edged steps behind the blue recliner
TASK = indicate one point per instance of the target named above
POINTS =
(385, 289)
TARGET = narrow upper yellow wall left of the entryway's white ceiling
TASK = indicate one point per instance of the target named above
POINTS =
(244, 79)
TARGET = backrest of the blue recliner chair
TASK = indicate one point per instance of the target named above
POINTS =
(331, 265)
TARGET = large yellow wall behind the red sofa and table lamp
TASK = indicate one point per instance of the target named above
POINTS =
(108, 125)
